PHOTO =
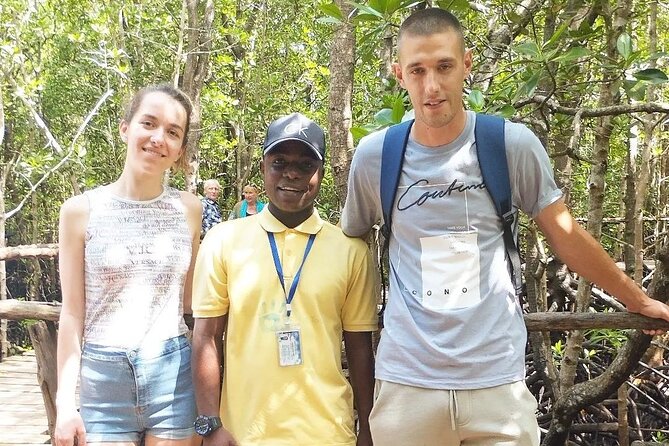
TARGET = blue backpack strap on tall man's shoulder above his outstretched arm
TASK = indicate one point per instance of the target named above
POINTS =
(491, 152)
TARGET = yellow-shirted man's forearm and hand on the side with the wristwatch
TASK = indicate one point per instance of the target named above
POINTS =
(206, 364)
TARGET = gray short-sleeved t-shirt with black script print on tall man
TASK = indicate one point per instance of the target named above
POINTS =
(452, 320)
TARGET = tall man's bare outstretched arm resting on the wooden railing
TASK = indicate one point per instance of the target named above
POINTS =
(585, 256)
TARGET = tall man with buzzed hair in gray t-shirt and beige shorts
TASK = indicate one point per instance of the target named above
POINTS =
(453, 345)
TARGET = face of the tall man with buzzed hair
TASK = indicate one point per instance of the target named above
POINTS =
(433, 69)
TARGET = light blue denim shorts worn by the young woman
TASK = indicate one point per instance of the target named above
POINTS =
(125, 394)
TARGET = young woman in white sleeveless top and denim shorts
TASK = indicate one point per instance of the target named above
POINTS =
(127, 252)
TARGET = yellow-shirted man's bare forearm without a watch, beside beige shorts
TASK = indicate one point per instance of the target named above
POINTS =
(361, 372)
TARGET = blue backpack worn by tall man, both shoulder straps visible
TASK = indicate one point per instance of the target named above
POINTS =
(491, 152)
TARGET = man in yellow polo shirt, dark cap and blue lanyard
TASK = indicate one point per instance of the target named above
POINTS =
(284, 285)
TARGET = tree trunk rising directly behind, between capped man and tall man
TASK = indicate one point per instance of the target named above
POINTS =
(342, 59)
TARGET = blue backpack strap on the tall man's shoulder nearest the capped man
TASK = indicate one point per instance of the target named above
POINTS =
(394, 146)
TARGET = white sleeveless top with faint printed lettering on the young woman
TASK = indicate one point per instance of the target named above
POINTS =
(137, 255)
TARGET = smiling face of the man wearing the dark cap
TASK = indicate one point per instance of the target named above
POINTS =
(292, 176)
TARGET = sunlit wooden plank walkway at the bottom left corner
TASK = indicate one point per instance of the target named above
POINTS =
(22, 415)
